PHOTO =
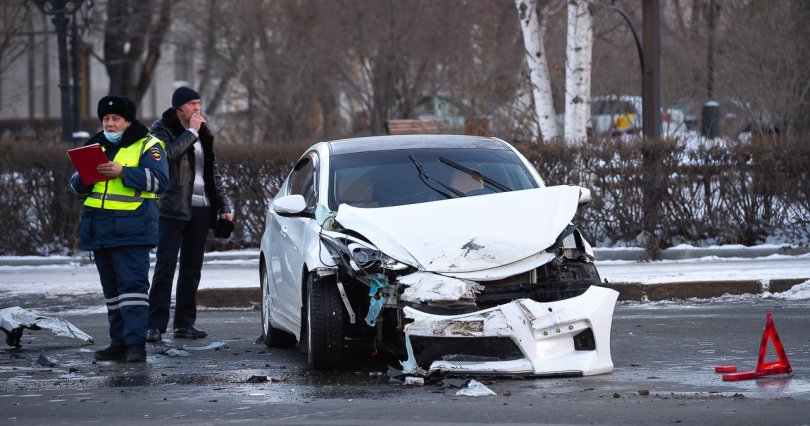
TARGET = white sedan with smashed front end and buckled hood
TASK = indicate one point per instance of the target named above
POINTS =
(449, 251)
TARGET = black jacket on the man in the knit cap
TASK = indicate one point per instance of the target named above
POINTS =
(176, 203)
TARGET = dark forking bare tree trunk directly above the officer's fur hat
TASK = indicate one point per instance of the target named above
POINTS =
(133, 37)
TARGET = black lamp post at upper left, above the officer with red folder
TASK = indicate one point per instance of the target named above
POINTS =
(59, 11)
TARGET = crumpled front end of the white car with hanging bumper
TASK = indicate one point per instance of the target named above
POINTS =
(537, 314)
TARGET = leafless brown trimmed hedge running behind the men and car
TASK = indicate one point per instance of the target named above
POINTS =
(653, 194)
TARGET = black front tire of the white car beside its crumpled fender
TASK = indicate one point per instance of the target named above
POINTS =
(324, 334)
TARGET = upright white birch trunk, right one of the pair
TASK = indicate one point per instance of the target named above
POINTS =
(578, 70)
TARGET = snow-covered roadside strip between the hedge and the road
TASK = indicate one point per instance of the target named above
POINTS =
(232, 279)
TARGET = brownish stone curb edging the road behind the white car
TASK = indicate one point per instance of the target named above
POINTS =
(251, 297)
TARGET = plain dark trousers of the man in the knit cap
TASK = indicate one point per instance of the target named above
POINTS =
(187, 238)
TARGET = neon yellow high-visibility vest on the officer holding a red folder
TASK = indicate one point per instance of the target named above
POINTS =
(112, 194)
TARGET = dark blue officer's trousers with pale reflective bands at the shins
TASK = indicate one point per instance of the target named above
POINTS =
(124, 275)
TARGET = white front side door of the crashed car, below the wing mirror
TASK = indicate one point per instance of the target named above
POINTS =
(287, 249)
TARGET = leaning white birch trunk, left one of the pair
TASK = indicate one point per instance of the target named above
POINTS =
(533, 26)
